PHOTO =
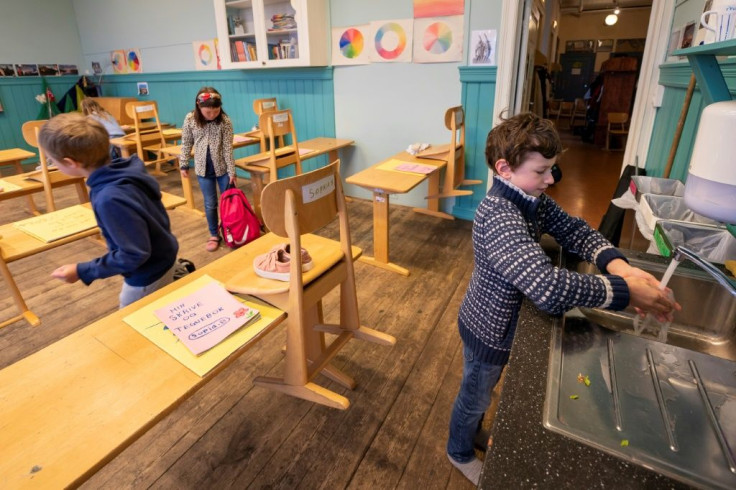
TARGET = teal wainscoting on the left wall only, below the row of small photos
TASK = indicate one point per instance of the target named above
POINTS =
(18, 98)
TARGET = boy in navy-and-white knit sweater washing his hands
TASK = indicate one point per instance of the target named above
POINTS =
(510, 264)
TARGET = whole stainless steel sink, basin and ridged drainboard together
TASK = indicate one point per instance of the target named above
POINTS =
(670, 407)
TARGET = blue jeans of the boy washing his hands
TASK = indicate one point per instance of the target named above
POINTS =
(474, 398)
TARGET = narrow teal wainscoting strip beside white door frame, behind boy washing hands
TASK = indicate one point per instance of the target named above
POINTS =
(478, 90)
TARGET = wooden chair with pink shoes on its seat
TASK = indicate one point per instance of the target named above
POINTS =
(293, 208)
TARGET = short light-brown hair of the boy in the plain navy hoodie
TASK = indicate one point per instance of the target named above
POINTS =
(75, 136)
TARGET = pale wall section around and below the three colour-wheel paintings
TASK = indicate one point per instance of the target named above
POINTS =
(387, 106)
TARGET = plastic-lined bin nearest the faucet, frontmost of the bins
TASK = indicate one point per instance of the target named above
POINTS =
(711, 243)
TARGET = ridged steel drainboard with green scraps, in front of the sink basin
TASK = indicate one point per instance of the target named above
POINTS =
(663, 407)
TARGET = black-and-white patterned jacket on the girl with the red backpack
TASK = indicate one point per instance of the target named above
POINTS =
(219, 137)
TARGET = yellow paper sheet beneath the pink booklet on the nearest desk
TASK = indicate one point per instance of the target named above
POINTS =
(144, 321)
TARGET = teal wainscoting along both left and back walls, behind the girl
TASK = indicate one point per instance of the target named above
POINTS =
(308, 92)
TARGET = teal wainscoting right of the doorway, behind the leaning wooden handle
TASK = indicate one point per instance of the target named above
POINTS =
(675, 78)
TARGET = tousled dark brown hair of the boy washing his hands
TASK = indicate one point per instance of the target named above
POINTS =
(517, 136)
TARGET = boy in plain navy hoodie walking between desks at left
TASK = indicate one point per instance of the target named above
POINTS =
(127, 205)
